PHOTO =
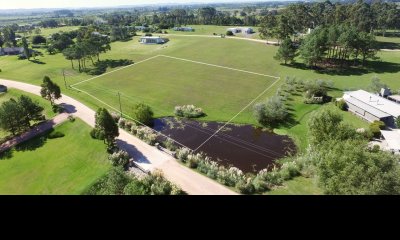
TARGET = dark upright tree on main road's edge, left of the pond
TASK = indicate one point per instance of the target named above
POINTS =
(106, 124)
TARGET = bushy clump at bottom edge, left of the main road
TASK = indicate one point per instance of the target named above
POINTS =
(118, 182)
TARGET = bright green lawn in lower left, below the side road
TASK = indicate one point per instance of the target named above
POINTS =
(65, 165)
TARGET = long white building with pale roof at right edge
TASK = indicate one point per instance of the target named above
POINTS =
(372, 107)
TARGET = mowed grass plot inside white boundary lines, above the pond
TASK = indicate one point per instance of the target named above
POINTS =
(164, 83)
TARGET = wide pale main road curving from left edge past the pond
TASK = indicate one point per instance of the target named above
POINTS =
(147, 157)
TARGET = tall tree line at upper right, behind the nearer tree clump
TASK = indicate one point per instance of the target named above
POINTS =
(297, 18)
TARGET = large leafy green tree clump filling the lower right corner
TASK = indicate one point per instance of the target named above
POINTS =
(343, 162)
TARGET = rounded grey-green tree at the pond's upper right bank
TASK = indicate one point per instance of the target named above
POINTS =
(271, 112)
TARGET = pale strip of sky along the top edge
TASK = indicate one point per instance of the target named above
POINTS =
(27, 4)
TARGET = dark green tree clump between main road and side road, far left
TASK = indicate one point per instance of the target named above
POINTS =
(16, 116)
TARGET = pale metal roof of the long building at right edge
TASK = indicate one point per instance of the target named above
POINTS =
(373, 103)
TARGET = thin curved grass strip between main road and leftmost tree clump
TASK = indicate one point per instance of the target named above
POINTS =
(14, 93)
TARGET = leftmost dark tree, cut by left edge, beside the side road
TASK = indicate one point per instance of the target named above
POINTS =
(11, 117)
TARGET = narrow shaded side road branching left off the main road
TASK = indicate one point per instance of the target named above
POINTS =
(35, 131)
